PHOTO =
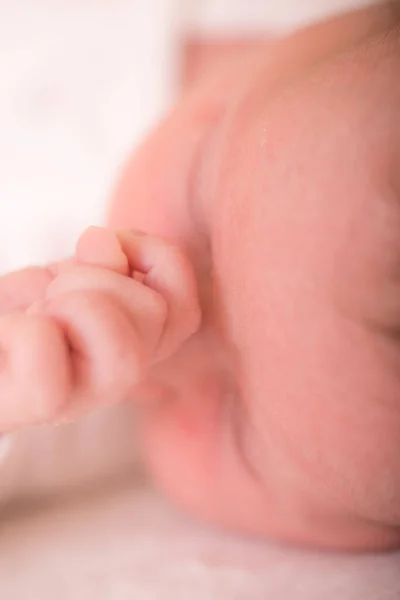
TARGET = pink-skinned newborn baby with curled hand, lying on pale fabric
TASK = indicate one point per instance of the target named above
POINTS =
(245, 296)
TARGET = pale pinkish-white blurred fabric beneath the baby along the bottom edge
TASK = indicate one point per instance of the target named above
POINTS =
(129, 545)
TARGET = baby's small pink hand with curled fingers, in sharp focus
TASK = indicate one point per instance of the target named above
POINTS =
(83, 333)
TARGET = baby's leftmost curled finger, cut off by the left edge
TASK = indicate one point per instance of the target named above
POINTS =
(34, 372)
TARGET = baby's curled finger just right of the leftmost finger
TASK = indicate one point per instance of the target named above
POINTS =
(105, 350)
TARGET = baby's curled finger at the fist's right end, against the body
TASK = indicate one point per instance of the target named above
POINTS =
(167, 271)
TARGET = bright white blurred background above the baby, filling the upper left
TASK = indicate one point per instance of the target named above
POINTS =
(81, 81)
